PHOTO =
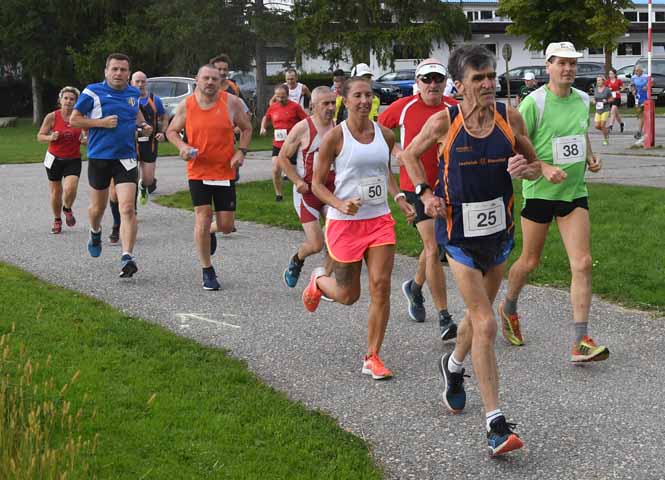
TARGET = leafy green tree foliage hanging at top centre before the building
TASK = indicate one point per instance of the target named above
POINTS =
(352, 30)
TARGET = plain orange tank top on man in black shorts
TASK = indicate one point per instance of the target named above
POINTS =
(211, 132)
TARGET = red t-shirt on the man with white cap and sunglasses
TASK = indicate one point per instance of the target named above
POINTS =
(410, 114)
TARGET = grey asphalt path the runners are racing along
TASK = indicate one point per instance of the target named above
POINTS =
(595, 421)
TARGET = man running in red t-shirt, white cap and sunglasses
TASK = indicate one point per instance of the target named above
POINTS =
(410, 114)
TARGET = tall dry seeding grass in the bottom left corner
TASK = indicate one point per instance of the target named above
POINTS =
(40, 433)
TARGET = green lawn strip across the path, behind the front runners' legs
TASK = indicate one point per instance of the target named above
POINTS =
(626, 227)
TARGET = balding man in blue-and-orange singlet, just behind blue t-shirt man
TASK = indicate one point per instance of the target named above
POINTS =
(155, 115)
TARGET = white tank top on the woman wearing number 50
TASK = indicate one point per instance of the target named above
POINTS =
(361, 171)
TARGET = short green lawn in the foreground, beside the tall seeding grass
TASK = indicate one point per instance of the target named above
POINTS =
(210, 417)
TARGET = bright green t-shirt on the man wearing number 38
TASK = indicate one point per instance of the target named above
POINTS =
(548, 117)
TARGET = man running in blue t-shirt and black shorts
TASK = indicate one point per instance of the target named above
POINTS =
(110, 112)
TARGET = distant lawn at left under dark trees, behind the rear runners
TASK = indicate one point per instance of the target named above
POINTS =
(20, 145)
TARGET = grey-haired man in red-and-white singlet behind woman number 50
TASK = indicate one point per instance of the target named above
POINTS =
(303, 141)
